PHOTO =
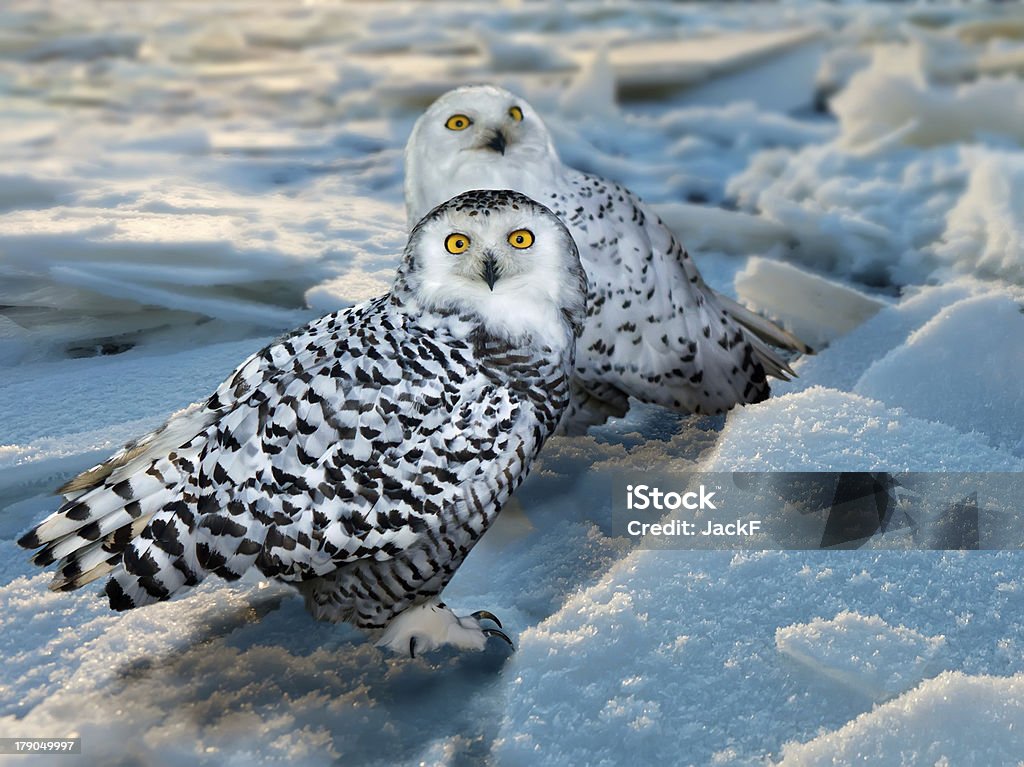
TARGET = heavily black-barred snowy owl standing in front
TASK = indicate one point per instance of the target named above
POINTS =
(362, 456)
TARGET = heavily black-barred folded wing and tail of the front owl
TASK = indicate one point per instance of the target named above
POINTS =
(344, 441)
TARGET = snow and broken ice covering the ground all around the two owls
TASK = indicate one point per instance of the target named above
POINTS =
(184, 181)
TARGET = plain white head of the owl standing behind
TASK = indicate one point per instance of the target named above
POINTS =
(477, 138)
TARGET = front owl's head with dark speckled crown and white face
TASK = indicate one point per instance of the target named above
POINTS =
(498, 259)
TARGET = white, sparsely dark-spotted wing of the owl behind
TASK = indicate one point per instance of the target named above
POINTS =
(657, 331)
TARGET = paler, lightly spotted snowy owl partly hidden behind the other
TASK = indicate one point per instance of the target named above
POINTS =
(655, 330)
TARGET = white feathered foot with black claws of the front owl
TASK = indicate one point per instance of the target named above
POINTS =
(432, 625)
